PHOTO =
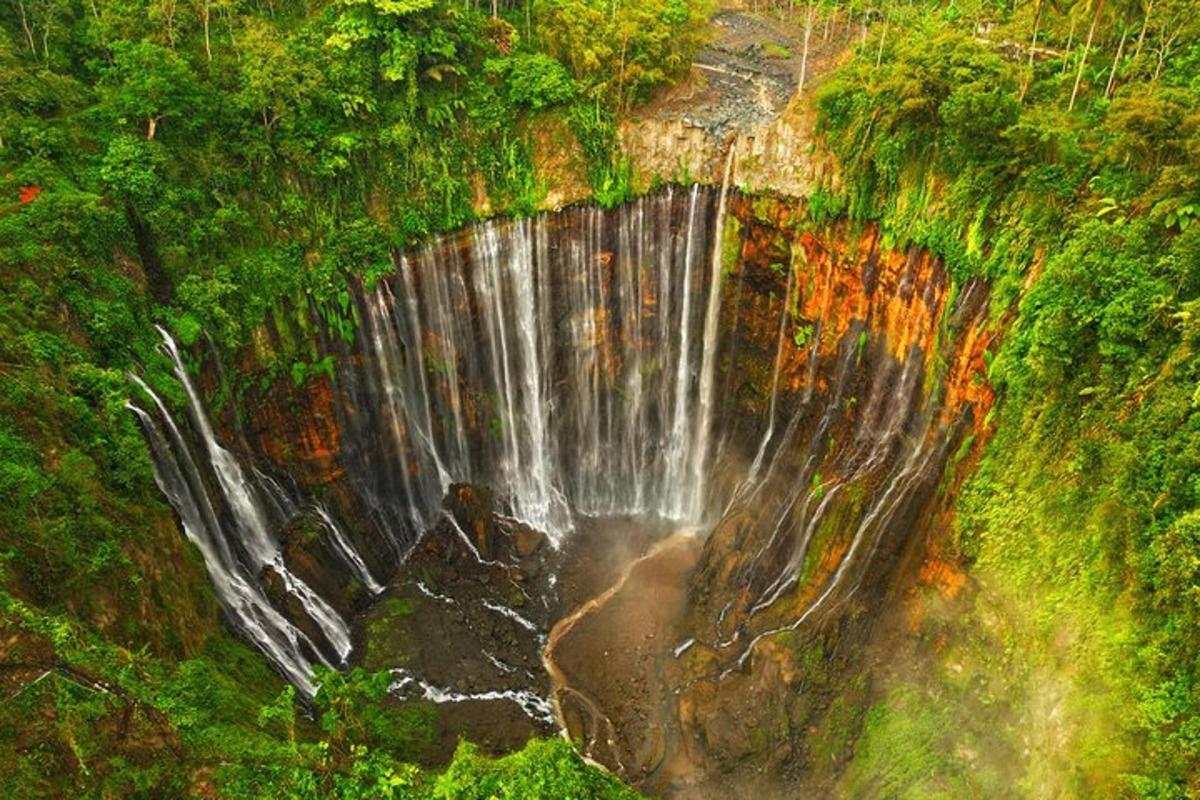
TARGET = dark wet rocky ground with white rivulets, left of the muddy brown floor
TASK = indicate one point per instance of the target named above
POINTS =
(464, 625)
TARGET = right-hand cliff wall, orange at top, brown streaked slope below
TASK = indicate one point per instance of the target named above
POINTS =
(880, 404)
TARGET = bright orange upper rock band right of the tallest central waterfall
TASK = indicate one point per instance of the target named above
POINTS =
(839, 278)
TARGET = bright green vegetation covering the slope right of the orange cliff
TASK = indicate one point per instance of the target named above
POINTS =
(1066, 176)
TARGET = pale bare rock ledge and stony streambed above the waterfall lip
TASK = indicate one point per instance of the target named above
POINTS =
(743, 94)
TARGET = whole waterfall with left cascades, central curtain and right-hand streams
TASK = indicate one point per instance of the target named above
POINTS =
(574, 364)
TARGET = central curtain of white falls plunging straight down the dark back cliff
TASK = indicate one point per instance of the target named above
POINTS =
(560, 359)
